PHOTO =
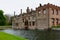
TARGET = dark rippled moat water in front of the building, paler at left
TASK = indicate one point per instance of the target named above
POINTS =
(35, 34)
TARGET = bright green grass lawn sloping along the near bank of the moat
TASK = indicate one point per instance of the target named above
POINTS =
(5, 36)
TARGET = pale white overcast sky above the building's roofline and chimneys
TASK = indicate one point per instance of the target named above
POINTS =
(9, 6)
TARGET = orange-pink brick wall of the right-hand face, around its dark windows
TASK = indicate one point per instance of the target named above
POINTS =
(55, 15)
